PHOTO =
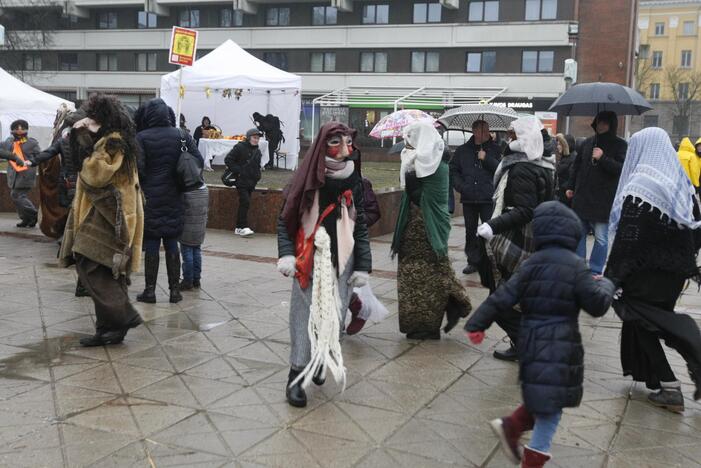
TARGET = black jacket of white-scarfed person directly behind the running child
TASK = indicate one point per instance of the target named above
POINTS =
(528, 186)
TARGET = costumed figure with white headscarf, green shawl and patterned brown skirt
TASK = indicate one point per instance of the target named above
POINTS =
(426, 282)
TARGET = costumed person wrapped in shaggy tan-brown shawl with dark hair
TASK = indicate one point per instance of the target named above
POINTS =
(106, 224)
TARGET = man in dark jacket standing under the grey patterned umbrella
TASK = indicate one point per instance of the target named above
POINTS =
(471, 171)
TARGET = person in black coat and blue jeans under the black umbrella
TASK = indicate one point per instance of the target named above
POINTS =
(593, 182)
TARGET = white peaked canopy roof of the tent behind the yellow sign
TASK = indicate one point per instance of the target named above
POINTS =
(229, 66)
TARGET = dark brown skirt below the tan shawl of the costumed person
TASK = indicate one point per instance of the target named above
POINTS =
(113, 311)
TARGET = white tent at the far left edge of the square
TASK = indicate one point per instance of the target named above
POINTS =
(18, 100)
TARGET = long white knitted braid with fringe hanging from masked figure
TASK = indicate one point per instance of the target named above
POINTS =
(324, 321)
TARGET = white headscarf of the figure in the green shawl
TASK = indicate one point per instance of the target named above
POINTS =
(426, 150)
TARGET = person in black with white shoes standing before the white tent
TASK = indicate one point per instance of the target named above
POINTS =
(244, 162)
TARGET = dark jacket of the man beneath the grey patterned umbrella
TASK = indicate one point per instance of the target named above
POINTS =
(473, 178)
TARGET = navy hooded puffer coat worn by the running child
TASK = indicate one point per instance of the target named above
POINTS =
(551, 288)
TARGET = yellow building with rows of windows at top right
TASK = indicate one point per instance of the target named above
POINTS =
(668, 66)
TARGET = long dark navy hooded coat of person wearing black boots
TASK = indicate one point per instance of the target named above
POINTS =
(160, 146)
